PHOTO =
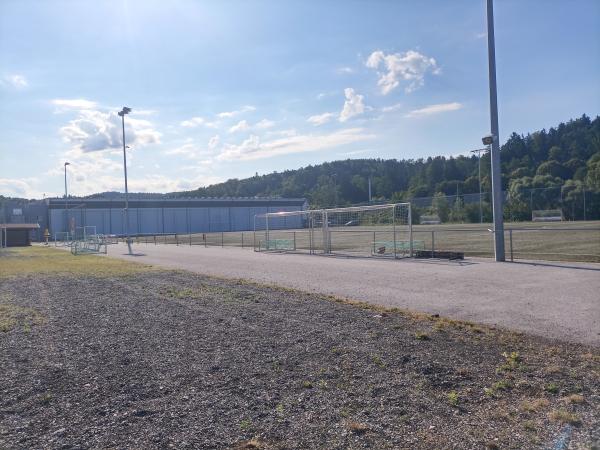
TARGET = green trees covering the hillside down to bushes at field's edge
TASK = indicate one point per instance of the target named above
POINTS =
(561, 166)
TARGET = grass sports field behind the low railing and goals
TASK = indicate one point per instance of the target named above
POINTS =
(552, 241)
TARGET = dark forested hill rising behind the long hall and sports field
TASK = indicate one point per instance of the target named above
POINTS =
(566, 154)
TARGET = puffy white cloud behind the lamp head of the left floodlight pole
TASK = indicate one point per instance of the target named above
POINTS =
(94, 131)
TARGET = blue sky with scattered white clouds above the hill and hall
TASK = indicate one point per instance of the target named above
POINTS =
(226, 89)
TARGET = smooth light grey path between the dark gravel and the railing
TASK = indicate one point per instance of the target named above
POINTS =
(554, 300)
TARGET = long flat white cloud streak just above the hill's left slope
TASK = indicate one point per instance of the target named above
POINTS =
(252, 148)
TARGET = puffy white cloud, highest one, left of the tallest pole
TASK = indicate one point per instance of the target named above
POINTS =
(410, 66)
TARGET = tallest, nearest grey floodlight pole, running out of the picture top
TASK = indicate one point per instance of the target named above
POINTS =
(495, 144)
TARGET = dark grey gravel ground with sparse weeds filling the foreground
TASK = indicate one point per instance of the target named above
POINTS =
(173, 359)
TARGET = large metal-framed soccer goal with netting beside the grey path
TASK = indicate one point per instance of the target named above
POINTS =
(375, 230)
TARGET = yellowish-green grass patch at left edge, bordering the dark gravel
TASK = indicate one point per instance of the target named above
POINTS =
(44, 260)
